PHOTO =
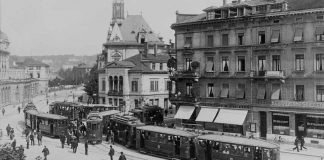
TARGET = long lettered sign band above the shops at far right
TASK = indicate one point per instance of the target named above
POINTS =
(297, 104)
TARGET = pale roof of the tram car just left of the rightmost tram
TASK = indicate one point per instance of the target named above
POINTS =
(169, 131)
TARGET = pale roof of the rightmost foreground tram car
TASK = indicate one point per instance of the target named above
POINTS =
(239, 140)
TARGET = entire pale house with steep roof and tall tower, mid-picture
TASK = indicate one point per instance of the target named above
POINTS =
(133, 54)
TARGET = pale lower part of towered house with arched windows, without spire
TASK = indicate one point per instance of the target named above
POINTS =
(136, 81)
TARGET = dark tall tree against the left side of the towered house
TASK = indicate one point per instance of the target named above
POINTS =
(91, 86)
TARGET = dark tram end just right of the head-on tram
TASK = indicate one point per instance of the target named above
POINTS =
(124, 129)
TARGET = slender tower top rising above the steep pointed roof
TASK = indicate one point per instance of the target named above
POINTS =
(118, 12)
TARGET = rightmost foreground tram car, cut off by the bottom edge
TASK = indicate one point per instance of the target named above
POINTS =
(223, 147)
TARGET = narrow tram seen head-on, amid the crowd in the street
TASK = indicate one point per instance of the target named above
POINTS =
(94, 128)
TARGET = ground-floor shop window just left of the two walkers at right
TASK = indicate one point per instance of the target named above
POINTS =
(280, 123)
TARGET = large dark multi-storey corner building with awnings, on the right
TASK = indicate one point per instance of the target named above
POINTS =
(251, 68)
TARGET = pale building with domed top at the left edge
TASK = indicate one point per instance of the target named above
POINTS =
(15, 86)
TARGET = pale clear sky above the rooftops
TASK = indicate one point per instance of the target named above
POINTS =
(79, 27)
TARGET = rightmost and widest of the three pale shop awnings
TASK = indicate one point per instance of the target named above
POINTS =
(235, 117)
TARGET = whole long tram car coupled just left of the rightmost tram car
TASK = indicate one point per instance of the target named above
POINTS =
(166, 142)
